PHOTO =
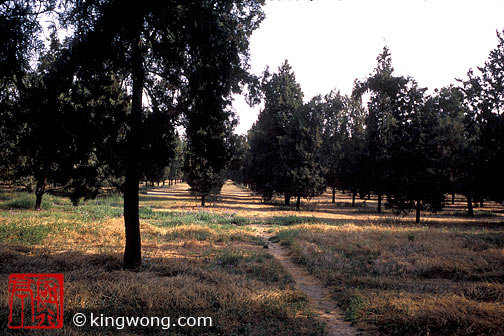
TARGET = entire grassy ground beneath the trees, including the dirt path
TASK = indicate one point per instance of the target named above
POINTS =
(327, 263)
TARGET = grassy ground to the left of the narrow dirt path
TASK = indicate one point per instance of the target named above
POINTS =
(196, 263)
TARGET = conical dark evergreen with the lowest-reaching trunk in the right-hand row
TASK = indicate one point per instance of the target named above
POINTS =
(416, 178)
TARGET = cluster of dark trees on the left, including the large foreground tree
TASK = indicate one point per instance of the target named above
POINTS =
(104, 104)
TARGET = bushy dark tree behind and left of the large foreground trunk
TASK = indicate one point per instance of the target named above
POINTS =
(66, 126)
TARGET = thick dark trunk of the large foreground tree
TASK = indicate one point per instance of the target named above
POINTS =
(133, 248)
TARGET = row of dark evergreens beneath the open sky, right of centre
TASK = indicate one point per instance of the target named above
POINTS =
(406, 146)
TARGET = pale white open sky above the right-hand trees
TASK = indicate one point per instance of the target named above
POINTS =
(330, 43)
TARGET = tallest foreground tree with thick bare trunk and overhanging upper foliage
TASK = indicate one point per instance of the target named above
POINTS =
(182, 43)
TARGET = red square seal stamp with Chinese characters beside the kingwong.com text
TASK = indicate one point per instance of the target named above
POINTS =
(35, 301)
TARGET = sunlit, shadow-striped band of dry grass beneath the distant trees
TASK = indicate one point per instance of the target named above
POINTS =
(242, 202)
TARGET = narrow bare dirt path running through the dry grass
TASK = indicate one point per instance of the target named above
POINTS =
(319, 296)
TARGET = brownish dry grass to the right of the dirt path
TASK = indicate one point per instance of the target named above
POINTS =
(408, 280)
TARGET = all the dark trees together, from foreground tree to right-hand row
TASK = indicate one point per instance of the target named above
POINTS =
(104, 106)
